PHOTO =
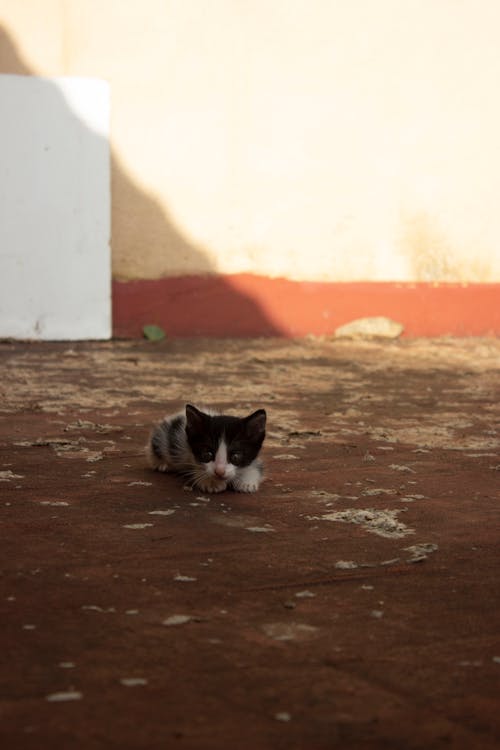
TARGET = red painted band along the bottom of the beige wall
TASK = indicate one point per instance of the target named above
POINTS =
(245, 305)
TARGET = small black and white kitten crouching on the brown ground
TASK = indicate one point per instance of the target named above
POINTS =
(212, 451)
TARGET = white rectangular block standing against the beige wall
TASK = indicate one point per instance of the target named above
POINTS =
(55, 267)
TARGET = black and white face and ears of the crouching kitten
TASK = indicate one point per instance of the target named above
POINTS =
(224, 444)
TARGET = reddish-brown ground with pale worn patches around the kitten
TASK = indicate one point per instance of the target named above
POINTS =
(352, 603)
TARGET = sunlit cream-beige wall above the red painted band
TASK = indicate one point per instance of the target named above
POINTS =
(312, 139)
